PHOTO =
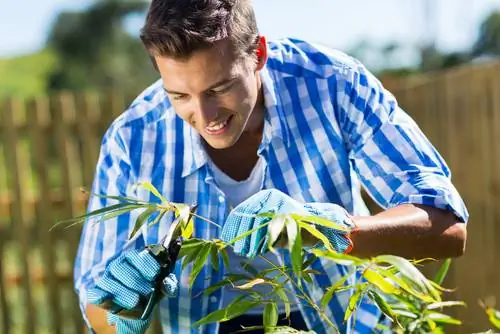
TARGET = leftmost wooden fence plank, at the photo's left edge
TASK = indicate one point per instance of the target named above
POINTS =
(15, 164)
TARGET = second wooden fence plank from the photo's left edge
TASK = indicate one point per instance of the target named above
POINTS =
(39, 117)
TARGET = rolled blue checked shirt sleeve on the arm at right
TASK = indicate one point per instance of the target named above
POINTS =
(395, 161)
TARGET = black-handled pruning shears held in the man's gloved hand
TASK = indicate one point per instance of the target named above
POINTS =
(166, 253)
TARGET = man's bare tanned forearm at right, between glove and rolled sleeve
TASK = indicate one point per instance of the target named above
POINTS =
(411, 231)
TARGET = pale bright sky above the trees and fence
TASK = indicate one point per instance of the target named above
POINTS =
(339, 23)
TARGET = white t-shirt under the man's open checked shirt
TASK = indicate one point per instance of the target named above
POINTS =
(236, 192)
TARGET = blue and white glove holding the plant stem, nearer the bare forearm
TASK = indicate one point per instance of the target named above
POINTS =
(242, 219)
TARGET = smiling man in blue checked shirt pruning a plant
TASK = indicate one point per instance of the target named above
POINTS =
(240, 122)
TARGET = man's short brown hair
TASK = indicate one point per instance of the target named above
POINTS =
(177, 28)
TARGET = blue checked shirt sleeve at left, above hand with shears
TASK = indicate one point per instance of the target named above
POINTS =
(101, 241)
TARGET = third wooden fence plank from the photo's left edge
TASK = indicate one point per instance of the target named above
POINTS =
(64, 112)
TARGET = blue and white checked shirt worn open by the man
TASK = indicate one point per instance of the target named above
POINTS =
(329, 126)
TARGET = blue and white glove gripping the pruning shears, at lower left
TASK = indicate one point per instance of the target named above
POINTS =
(126, 280)
